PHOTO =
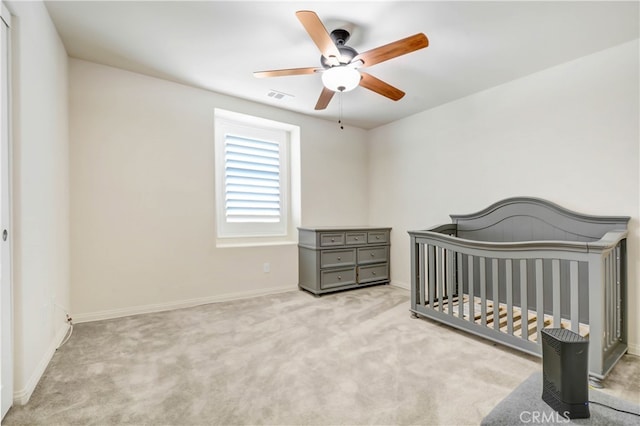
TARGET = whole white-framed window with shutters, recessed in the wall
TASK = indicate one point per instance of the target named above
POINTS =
(257, 172)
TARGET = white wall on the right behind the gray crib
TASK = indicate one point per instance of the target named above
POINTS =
(569, 134)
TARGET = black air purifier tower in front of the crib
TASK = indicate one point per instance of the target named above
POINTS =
(565, 372)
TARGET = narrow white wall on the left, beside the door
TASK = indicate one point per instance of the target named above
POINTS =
(40, 193)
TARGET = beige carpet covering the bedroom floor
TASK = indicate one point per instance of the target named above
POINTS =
(351, 358)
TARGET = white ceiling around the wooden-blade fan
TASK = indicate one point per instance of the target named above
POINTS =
(216, 45)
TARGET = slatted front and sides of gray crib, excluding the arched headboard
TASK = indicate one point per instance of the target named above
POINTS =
(509, 291)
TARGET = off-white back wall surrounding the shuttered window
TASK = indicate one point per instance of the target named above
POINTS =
(142, 194)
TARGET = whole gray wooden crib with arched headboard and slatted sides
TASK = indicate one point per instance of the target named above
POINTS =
(524, 264)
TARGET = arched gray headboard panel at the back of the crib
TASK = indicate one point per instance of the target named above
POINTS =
(534, 219)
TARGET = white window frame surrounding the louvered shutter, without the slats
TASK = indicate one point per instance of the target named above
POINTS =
(288, 138)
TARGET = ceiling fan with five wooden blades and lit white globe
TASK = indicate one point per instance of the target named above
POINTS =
(341, 64)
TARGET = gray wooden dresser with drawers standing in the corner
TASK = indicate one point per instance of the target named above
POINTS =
(333, 258)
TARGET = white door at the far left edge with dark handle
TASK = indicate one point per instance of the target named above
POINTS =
(6, 298)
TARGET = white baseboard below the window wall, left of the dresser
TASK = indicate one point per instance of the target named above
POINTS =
(159, 307)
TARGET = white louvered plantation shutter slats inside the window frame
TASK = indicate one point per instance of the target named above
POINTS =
(252, 180)
